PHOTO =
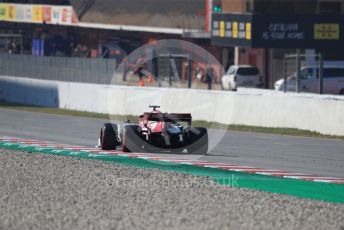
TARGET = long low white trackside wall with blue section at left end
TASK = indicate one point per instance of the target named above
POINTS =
(323, 114)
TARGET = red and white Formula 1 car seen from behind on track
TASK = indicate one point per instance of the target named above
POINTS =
(156, 132)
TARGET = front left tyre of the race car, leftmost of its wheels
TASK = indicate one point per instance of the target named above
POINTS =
(108, 136)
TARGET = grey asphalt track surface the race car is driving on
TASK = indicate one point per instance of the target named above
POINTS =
(294, 154)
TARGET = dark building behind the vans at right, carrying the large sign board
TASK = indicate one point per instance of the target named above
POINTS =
(264, 30)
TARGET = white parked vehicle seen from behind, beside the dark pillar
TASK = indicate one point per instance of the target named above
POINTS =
(241, 76)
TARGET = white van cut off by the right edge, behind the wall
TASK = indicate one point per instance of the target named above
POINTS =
(333, 80)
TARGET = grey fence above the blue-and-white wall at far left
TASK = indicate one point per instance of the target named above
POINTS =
(69, 69)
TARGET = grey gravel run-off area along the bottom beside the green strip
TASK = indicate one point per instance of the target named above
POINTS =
(39, 191)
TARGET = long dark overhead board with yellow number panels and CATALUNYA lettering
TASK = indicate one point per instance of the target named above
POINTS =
(274, 31)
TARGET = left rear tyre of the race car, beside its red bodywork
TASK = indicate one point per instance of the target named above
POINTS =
(131, 139)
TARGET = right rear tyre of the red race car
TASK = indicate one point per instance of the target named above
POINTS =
(198, 141)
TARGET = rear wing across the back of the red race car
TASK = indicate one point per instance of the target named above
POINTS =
(169, 117)
